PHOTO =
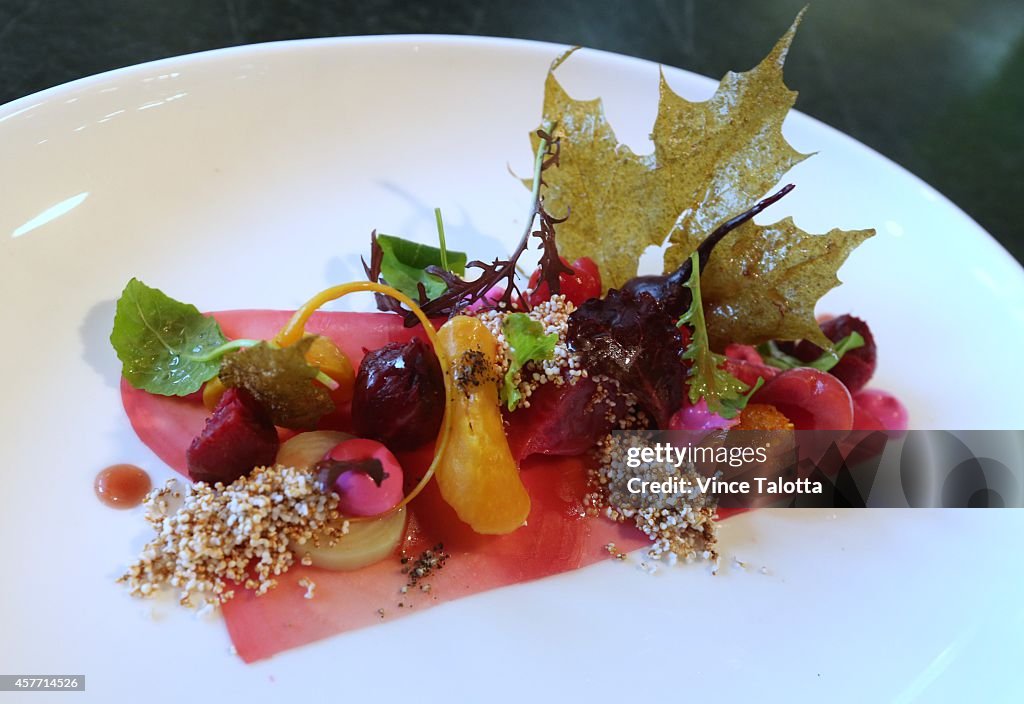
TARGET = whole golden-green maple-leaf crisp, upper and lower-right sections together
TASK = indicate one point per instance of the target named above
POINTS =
(711, 162)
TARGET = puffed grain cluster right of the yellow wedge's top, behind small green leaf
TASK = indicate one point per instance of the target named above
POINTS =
(564, 367)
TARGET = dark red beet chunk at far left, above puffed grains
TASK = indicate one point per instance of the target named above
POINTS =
(238, 437)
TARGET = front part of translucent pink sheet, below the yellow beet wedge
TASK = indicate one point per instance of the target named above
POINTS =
(559, 538)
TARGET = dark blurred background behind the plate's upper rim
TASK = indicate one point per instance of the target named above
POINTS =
(936, 85)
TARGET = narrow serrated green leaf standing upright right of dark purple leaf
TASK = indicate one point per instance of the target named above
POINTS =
(723, 393)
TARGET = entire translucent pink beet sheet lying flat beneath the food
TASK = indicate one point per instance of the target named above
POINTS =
(558, 538)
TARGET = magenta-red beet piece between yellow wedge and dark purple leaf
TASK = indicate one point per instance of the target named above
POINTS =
(543, 429)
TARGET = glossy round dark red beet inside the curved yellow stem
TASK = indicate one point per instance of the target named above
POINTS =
(400, 395)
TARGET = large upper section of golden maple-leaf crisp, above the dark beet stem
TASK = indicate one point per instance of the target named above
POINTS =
(712, 161)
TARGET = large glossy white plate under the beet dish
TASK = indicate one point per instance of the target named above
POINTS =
(251, 178)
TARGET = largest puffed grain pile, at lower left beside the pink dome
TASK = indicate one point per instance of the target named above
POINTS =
(210, 537)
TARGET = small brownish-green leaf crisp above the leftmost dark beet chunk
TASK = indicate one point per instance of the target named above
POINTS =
(282, 380)
